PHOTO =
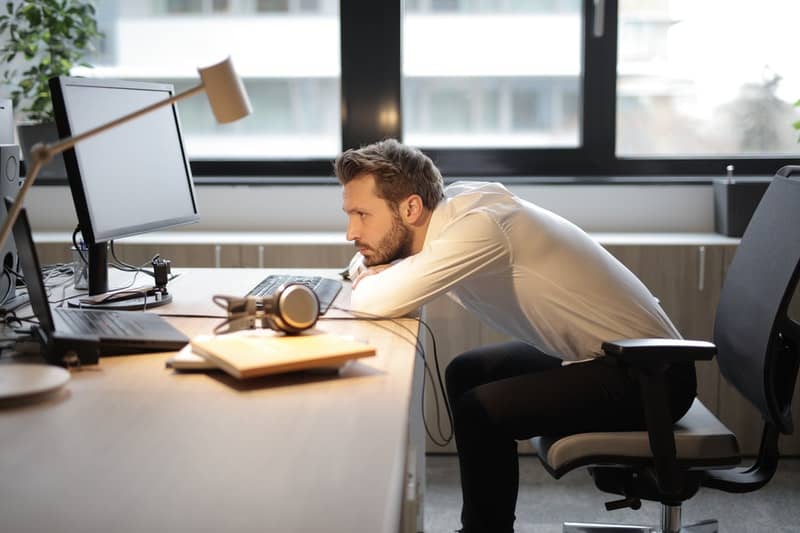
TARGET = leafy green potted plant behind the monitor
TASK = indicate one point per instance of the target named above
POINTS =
(42, 39)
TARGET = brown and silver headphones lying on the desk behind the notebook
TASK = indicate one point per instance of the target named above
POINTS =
(292, 308)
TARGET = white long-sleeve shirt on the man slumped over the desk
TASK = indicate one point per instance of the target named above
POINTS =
(523, 270)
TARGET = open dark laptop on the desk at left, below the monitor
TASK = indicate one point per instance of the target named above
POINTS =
(118, 332)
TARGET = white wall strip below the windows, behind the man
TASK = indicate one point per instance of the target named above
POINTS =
(596, 208)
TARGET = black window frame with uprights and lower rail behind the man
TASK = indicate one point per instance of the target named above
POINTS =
(371, 91)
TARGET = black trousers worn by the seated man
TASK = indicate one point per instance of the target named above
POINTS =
(507, 392)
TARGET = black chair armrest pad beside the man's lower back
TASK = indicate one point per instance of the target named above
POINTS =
(649, 351)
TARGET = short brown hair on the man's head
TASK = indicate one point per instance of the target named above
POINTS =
(399, 171)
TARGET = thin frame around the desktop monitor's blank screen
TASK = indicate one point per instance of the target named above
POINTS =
(75, 178)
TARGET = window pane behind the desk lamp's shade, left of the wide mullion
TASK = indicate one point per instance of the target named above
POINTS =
(289, 62)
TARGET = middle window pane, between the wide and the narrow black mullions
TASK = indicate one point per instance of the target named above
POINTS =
(491, 73)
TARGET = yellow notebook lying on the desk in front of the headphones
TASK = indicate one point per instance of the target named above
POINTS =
(251, 354)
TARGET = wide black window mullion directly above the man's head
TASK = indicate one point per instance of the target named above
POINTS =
(371, 71)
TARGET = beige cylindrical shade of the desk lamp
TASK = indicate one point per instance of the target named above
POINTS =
(225, 91)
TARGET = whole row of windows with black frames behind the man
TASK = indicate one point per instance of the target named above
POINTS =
(533, 89)
